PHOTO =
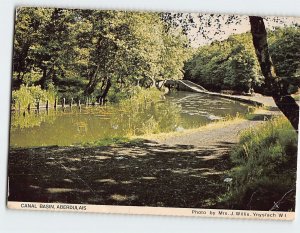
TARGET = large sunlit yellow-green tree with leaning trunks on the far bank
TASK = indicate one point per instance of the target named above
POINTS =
(124, 54)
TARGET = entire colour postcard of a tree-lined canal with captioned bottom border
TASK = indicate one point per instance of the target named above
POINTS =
(165, 113)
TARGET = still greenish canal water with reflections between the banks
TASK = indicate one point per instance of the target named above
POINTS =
(179, 111)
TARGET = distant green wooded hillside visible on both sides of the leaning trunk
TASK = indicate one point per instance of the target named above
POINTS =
(232, 64)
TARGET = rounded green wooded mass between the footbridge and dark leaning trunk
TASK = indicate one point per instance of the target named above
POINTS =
(225, 65)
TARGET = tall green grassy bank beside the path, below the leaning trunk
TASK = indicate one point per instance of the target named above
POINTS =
(266, 159)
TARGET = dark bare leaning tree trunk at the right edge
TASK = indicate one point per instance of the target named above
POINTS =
(274, 85)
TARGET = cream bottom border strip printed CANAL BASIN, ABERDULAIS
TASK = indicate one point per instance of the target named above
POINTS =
(144, 210)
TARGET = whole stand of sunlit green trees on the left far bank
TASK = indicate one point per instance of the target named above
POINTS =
(88, 52)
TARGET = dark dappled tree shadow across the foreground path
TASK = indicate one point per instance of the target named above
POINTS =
(140, 174)
